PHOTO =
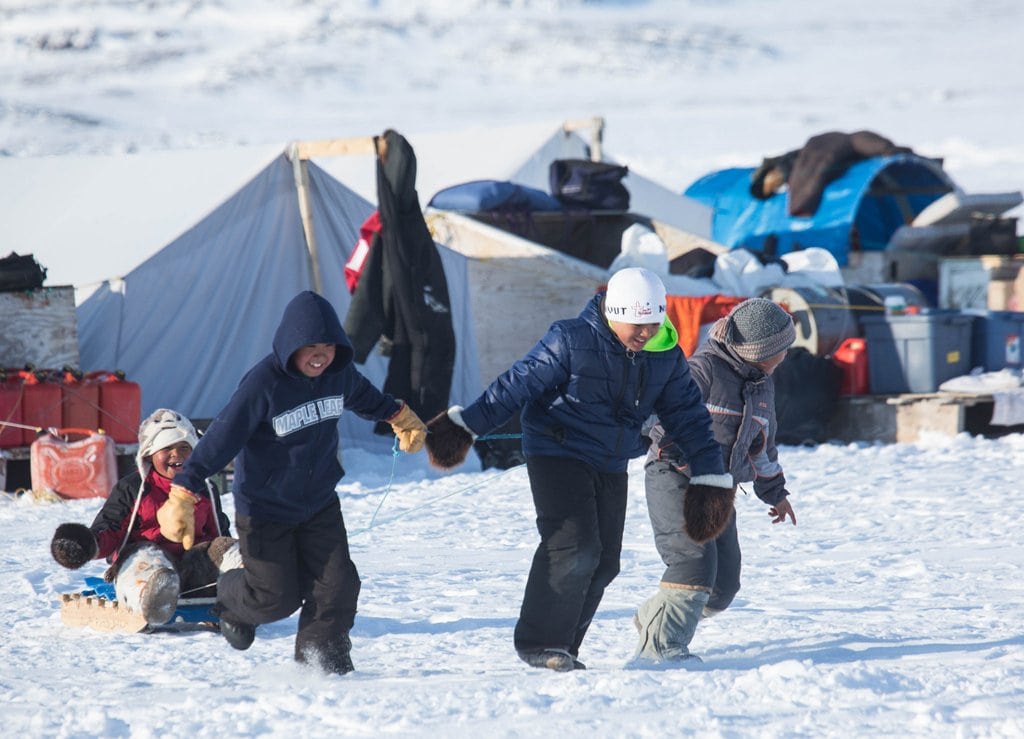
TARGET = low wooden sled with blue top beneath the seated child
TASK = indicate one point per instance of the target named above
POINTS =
(97, 607)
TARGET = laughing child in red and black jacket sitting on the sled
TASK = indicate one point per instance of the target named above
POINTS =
(150, 572)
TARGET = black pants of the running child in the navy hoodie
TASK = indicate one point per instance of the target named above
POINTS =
(288, 567)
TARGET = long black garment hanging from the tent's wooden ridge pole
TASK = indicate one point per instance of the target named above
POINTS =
(403, 294)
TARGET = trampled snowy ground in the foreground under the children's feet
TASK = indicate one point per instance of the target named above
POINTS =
(894, 608)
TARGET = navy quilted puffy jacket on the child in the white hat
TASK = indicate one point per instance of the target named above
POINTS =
(583, 396)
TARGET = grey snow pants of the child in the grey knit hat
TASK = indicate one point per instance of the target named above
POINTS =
(714, 564)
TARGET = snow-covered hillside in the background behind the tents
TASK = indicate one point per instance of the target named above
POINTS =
(687, 86)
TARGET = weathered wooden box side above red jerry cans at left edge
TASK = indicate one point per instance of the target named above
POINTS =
(39, 328)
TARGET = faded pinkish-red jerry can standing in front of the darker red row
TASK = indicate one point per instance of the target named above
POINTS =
(86, 467)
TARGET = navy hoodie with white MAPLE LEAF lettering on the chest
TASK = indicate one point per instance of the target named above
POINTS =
(284, 426)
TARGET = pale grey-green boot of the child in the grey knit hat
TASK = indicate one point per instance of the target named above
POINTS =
(667, 624)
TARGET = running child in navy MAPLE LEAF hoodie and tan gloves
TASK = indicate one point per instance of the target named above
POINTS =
(282, 425)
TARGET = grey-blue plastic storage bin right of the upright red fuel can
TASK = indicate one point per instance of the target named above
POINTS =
(917, 354)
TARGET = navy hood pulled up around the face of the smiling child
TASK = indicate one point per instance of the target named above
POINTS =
(310, 319)
